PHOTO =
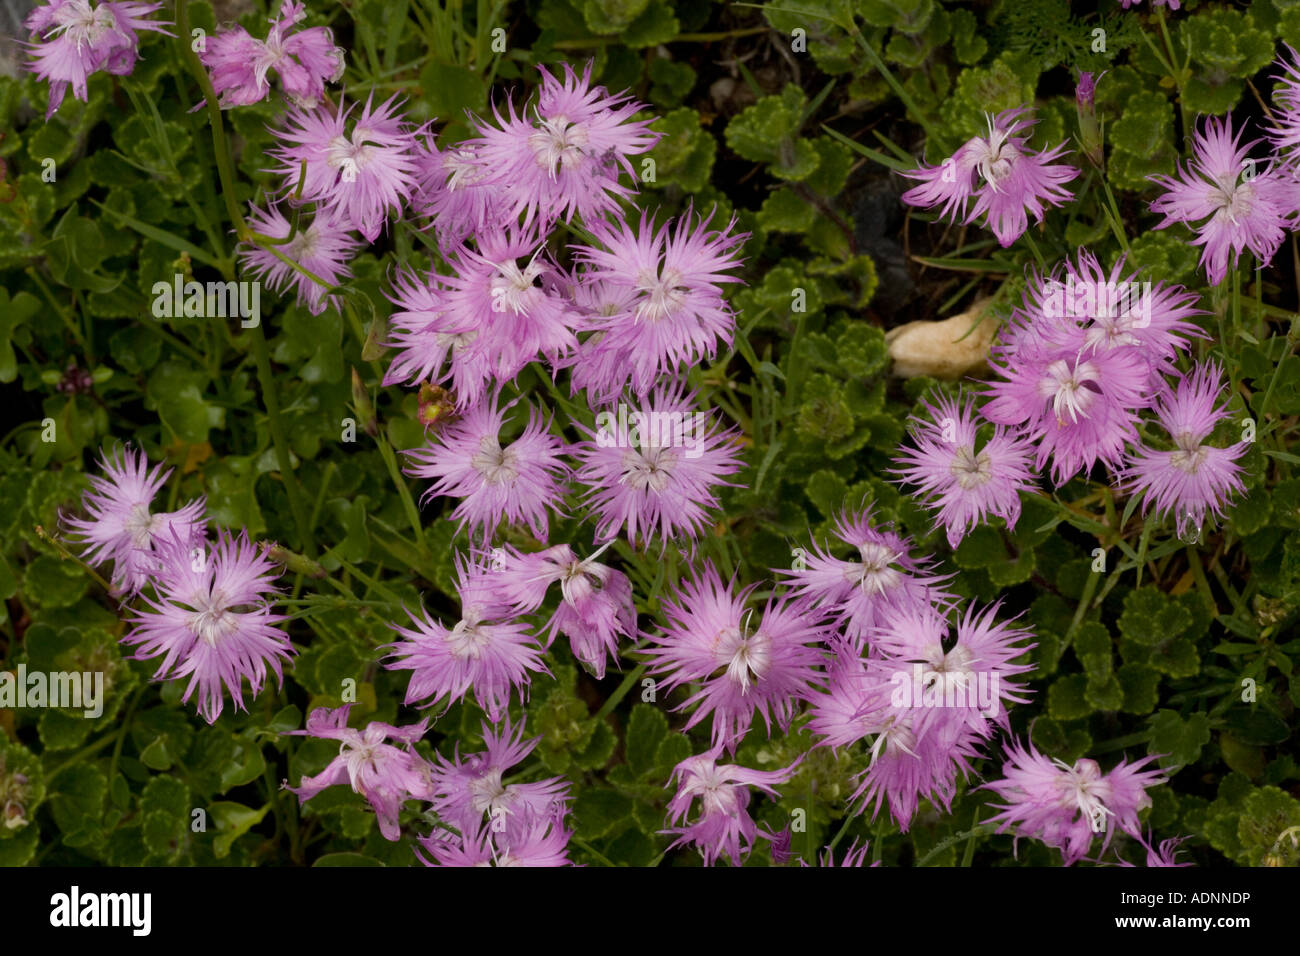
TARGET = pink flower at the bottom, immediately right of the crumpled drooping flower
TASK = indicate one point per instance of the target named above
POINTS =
(467, 794)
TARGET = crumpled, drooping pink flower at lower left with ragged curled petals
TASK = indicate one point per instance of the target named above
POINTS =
(387, 776)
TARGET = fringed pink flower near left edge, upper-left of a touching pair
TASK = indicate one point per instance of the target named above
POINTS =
(122, 526)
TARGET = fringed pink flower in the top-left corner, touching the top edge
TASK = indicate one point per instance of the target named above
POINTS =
(73, 40)
